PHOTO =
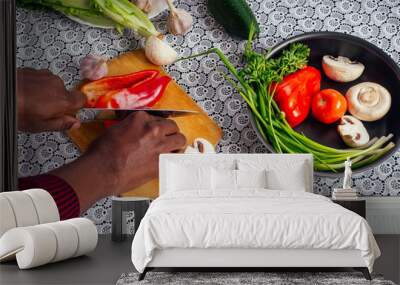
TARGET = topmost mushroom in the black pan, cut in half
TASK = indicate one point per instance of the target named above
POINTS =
(341, 68)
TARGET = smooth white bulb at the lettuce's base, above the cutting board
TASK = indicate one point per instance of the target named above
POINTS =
(159, 52)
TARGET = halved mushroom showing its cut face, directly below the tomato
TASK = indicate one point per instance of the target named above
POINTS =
(353, 132)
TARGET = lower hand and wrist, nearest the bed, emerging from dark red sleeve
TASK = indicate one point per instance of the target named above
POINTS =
(125, 157)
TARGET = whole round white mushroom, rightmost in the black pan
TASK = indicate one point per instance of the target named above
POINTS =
(368, 101)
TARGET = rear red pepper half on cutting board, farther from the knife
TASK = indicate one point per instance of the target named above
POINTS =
(93, 90)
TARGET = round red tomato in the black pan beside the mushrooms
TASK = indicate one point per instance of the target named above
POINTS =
(328, 106)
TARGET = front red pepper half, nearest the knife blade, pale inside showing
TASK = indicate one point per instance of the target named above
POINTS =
(142, 94)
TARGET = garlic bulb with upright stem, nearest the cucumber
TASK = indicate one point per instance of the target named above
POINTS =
(179, 21)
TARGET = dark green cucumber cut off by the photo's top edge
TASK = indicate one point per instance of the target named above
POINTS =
(234, 15)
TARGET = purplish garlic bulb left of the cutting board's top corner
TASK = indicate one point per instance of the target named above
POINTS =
(93, 67)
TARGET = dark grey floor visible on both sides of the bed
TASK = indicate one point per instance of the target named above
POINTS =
(110, 260)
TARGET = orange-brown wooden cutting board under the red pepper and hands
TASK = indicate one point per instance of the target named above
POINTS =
(199, 125)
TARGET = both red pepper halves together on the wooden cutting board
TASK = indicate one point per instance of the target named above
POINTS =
(136, 90)
